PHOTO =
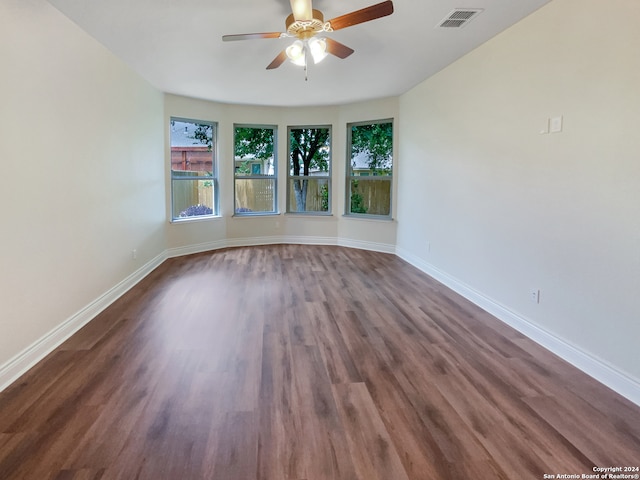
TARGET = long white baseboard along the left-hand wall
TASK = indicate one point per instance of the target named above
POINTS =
(18, 365)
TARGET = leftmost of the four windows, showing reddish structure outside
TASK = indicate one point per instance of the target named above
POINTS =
(194, 186)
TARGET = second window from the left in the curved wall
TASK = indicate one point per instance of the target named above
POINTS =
(255, 168)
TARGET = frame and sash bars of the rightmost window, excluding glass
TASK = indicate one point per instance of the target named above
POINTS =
(368, 177)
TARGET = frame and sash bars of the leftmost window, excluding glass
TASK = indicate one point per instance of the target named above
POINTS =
(213, 176)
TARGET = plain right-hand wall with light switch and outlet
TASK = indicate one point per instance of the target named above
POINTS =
(497, 209)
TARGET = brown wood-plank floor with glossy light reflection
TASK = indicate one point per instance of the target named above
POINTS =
(291, 362)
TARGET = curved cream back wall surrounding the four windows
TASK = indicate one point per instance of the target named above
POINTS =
(184, 237)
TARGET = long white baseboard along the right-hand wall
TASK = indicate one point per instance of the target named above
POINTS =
(589, 364)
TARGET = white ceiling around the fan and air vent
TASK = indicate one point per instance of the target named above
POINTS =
(176, 45)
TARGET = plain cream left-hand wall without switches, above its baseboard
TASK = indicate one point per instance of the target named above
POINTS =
(82, 179)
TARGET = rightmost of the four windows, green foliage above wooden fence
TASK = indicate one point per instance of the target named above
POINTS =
(370, 149)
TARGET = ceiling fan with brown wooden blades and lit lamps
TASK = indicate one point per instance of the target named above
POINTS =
(306, 23)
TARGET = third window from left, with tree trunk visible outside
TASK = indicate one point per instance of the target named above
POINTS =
(309, 177)
